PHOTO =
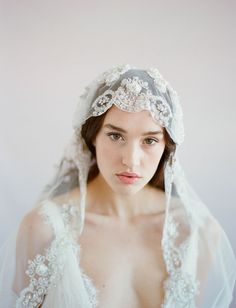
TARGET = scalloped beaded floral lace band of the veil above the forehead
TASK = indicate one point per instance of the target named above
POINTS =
(133, 95)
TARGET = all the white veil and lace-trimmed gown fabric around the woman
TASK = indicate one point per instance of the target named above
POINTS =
(39, 262)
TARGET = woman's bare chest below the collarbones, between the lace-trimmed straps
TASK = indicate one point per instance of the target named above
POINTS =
(125, 263)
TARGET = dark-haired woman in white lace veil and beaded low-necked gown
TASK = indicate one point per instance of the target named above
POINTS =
(119, 226)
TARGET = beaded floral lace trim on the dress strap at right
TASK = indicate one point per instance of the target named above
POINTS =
(180, 287)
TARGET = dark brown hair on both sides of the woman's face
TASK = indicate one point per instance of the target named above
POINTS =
(89, 132)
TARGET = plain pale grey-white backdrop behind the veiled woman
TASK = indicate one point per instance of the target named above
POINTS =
(50, 50)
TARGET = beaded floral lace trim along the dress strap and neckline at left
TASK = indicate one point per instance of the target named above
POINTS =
(45, 271)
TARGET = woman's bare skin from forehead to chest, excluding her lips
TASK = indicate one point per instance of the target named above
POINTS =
(121, 241)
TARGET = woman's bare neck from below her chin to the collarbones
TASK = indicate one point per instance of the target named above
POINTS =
(102, 200)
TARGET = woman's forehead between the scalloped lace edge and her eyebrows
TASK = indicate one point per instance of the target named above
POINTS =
(141, 119)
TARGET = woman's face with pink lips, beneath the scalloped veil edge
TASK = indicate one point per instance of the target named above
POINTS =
(128, 147)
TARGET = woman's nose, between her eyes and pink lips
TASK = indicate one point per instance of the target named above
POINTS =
(131, 155)
